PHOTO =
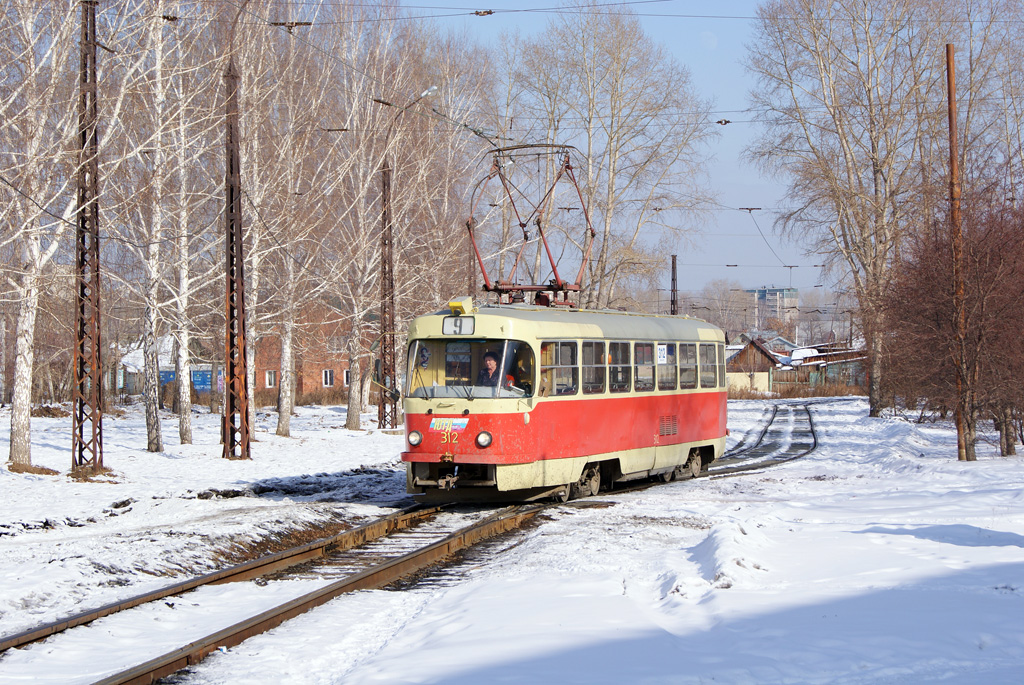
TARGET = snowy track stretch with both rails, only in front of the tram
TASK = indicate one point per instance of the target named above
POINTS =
(175, 629)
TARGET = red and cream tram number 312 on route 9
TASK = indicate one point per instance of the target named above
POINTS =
(516, 402)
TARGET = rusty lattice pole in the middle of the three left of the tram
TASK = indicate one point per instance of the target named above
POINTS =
(236, 426)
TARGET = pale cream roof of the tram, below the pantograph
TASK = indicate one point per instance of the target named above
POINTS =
(559, 322)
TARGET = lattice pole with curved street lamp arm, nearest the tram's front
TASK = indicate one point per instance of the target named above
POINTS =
(388, 408)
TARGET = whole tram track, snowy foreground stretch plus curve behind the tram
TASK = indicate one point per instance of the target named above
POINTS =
(370, 556)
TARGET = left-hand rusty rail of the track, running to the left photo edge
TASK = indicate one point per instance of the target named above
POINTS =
(268, 565)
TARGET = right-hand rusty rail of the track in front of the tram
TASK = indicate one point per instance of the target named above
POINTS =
(376, 577)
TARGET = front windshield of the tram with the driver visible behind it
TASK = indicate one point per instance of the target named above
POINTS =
(471, 369)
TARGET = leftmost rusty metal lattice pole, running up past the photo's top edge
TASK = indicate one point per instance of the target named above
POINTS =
(88, 394)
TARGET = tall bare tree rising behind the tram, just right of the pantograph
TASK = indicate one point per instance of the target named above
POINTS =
(606, 87)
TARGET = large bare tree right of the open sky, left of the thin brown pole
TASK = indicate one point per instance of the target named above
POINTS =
(843, 88)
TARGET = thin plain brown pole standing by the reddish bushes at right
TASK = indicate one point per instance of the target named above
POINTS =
(965, 452)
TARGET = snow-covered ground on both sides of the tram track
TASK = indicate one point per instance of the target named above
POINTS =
(878, 559)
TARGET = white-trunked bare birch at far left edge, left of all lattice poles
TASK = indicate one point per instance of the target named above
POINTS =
(37, 120)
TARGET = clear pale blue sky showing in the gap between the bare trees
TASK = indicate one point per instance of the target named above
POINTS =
(709, 39)
